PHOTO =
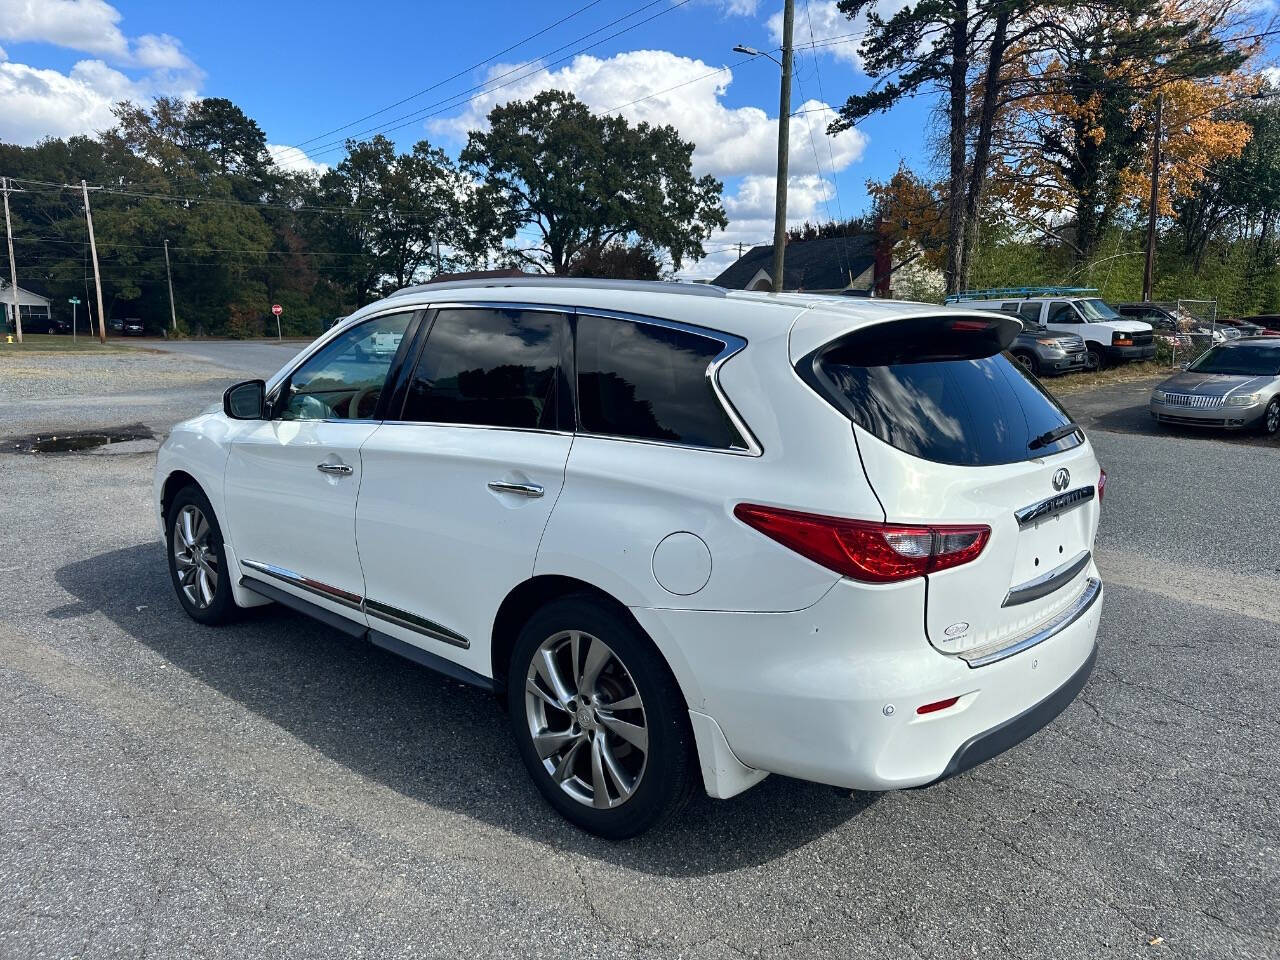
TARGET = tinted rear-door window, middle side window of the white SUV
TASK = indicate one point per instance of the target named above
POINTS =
(491, 368)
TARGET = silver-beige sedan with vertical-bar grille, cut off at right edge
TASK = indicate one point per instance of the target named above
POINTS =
(1235, 386)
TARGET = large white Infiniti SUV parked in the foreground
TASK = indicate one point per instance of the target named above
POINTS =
(687, 536)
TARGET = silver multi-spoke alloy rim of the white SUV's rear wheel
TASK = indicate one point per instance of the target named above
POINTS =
(587, 719)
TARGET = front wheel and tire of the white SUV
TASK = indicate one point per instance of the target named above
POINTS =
(198, 563)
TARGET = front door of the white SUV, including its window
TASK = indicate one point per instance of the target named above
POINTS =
(292, 481)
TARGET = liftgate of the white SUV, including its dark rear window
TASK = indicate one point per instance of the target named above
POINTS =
(961, 440)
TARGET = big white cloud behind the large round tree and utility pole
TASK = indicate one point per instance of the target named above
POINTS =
(687, 94)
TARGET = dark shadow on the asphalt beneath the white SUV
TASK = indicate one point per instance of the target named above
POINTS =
(432, 739)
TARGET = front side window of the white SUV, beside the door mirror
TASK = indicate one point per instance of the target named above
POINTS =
(345, 380)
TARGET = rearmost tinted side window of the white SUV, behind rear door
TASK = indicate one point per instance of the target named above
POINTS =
(650, 383)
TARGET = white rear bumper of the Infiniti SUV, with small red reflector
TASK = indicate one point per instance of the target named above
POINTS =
(831, 693)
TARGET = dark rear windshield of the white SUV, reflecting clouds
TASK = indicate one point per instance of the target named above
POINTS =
(966, 412)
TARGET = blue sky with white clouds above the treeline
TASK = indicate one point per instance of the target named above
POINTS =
(304, 70)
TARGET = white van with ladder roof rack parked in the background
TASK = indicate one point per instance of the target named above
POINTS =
(1109, 337)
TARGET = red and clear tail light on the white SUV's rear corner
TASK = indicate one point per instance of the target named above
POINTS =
(875, 554)
